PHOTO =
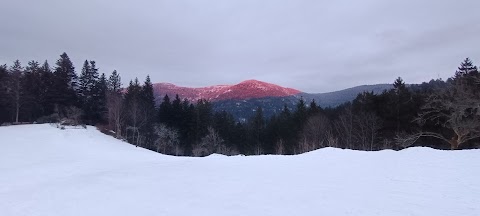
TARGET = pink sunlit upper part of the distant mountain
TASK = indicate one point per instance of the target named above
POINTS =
(245, 90)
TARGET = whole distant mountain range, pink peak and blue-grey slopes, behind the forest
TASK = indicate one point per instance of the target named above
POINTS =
(244, 98)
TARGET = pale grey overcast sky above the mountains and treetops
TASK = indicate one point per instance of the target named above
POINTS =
(311, 45)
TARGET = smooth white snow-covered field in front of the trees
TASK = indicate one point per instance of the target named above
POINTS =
(47, 171)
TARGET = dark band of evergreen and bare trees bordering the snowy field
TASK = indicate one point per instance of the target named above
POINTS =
(439, 114)
